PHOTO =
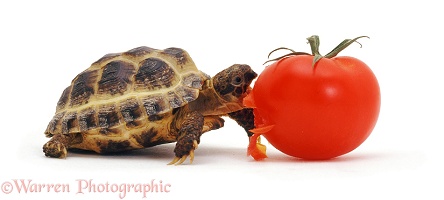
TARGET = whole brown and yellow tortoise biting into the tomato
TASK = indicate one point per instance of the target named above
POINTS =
(145, 97)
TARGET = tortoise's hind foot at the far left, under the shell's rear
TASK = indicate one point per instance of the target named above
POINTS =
(57, 146)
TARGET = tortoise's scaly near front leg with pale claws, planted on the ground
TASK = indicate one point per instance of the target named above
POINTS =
(188, 137)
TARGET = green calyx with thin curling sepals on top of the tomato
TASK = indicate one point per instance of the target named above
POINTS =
(314, 44)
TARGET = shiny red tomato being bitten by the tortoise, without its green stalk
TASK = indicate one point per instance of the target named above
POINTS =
(318, 112)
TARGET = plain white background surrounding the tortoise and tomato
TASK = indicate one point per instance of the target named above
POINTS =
(44, 44)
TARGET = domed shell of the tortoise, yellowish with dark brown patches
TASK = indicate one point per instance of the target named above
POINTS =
(122, 94)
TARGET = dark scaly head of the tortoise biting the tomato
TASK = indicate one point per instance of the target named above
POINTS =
(233, 83)
